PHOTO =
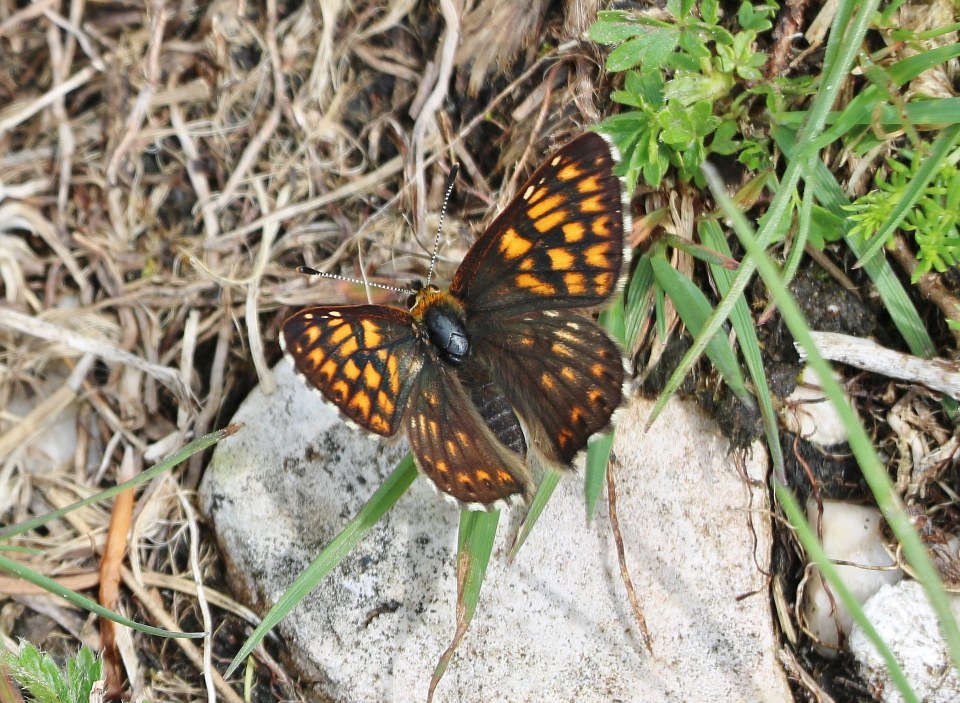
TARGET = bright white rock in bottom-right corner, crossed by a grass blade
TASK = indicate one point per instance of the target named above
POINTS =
(904, 619)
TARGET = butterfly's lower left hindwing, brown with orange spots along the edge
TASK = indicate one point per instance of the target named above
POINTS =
(455, 448)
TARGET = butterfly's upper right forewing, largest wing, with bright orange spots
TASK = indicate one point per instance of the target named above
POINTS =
(560, 239)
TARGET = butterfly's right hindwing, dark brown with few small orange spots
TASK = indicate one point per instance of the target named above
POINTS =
(561, 373)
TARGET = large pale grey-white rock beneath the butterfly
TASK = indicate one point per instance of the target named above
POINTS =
(554, 626)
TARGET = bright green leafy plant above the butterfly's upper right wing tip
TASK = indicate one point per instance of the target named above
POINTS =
(681, 79)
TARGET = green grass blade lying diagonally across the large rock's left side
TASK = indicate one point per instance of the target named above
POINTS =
(335, 552)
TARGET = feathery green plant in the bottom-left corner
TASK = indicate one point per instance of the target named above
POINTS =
(45, 682)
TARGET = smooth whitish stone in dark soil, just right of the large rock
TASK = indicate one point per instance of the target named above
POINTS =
(850, 533)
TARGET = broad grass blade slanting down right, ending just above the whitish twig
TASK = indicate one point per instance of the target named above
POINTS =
(831, 197)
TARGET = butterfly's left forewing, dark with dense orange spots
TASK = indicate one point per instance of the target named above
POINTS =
(363, 358)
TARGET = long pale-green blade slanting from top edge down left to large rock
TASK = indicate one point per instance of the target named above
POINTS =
(846, 35)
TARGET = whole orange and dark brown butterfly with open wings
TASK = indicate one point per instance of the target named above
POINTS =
(502, 358)
